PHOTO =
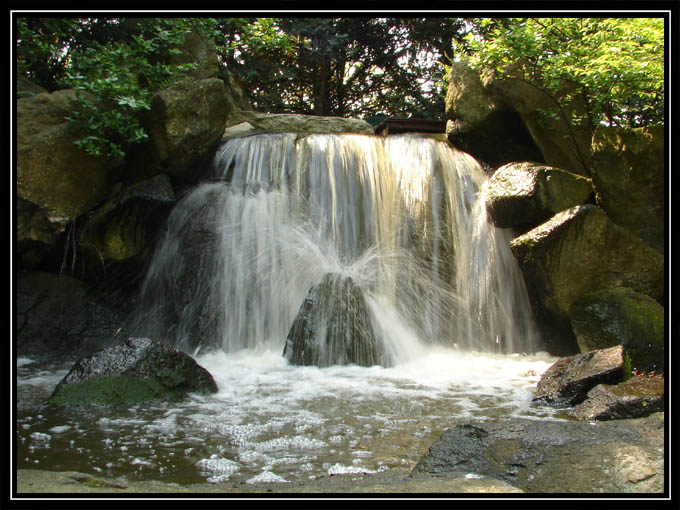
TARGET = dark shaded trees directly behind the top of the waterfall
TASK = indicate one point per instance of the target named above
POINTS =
(361, 67)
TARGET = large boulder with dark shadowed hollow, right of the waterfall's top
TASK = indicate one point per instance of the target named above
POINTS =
(504, 120)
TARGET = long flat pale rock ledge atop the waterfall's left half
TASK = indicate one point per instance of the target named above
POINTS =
(252, 123)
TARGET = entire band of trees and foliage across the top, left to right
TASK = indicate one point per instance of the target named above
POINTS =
(352, 67)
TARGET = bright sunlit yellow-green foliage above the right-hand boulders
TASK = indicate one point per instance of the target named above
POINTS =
(616, 63)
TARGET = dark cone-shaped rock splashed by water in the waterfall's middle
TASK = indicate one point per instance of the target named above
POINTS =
(333, 327)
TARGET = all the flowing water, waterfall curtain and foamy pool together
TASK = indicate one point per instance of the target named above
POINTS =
(404, 218)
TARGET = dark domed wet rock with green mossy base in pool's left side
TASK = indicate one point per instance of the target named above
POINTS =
(136, 371)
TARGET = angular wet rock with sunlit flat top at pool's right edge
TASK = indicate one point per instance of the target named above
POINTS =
(568, 381)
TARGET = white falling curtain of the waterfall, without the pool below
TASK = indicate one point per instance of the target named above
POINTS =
(402, 216)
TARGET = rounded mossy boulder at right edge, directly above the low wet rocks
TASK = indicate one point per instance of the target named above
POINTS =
(621, 316)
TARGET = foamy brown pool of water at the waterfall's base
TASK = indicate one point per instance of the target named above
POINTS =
(271, 421)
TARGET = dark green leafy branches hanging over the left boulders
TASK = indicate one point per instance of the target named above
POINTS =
(114, 71)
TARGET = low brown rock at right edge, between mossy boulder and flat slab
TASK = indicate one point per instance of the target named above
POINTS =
(637, 397)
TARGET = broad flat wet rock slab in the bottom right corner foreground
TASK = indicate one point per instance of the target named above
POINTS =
(625, 456)
